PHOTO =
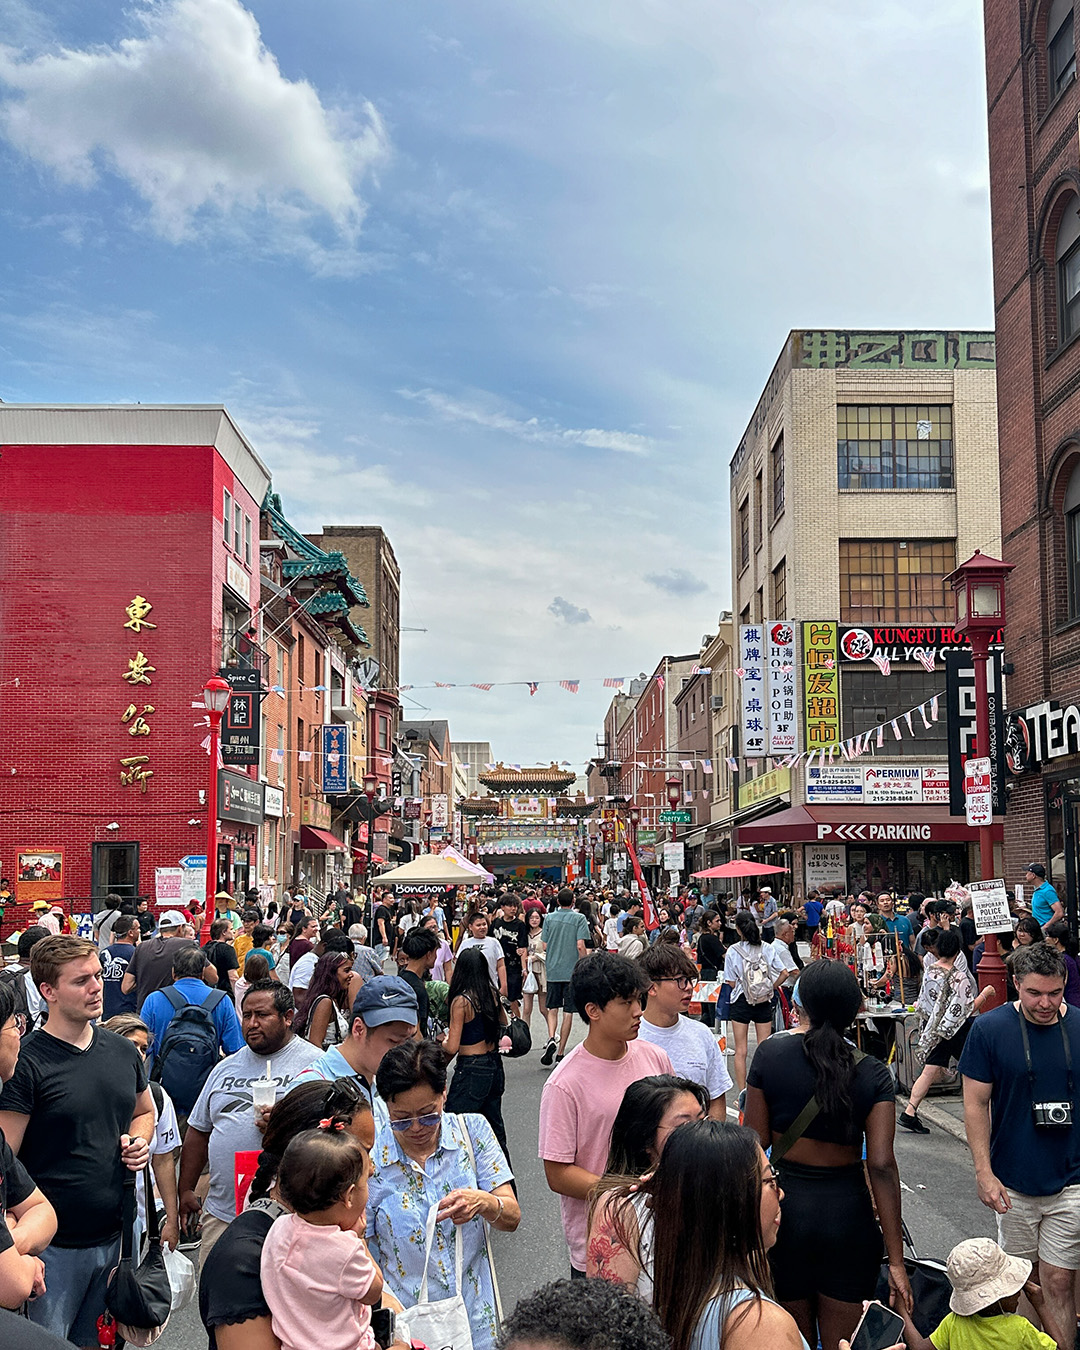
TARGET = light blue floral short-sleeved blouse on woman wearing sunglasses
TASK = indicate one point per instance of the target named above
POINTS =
(400, 1194)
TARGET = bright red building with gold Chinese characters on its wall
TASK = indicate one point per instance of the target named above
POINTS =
(130, 557)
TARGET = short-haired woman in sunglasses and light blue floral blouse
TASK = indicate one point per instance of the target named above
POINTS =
(434, 1158)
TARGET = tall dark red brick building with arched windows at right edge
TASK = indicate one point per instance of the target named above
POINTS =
(1033, 102)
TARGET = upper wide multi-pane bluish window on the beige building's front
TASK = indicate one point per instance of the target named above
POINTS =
(885, 448)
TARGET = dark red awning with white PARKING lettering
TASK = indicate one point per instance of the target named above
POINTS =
(862, 826)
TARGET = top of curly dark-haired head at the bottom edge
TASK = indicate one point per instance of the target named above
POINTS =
(584, 1316)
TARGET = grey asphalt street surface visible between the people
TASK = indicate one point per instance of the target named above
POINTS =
(940, 1204)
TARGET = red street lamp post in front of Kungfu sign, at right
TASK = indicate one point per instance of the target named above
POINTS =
(979, 587)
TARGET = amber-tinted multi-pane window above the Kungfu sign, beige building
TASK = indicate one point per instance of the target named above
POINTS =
(885, 581)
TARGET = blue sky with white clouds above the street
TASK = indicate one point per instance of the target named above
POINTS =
(503, 279)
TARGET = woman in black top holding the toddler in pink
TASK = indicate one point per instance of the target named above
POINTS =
(232, 1301)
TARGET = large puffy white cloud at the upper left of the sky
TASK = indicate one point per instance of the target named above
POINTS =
(199, 119)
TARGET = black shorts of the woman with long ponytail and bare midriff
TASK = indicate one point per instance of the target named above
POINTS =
(840, 1259)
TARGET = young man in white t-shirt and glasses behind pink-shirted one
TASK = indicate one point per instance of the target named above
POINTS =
(693, 1051)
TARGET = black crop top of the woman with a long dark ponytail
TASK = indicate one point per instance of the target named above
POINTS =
(782, 1071)
